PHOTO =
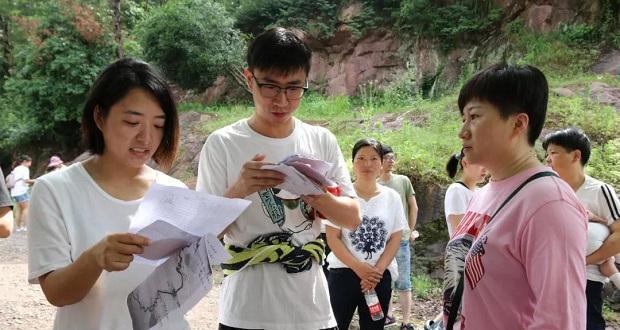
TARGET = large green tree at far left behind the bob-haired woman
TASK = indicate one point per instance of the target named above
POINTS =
(66, 46)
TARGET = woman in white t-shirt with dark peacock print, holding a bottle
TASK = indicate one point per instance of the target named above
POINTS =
(363, 259)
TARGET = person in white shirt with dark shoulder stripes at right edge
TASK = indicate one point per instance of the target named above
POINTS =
(568, 152)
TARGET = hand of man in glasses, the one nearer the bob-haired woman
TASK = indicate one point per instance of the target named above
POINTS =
(252, 179)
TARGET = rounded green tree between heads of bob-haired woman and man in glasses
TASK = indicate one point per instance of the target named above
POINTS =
(192, 41)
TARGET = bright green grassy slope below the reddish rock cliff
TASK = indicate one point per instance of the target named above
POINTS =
(427, 130)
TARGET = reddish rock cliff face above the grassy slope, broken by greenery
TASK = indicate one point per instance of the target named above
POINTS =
(346, 63)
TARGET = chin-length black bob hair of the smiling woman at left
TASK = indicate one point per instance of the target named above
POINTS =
(111, 86)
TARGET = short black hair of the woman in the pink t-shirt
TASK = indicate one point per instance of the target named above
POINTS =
(512, 89)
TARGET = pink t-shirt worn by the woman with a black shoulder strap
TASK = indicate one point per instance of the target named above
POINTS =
(526, 268)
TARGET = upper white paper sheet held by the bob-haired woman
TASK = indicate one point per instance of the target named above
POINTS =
(173, 217)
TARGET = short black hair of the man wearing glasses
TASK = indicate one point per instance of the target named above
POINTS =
(280, 50)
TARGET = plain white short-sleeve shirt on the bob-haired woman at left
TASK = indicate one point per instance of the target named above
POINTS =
(69, 213)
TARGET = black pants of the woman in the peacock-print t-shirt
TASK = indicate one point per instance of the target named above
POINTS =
(346, 296)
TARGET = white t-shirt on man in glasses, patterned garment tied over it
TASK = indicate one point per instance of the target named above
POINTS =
(265, 296)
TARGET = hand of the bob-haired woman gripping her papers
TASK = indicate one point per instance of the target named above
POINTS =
(115, 252)
